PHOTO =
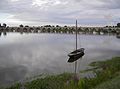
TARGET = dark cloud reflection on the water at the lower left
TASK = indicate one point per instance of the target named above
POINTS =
(11, 74)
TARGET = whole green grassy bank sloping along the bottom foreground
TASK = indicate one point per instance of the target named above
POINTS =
(106, 76)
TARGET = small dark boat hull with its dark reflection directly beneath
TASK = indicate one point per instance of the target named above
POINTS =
(75, 55)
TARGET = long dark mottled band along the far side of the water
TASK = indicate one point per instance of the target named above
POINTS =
(63, 30)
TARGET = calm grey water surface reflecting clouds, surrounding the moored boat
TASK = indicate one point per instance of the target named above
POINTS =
(32, 54)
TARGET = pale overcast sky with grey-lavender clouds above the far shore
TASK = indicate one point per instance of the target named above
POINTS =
(61, 12)
